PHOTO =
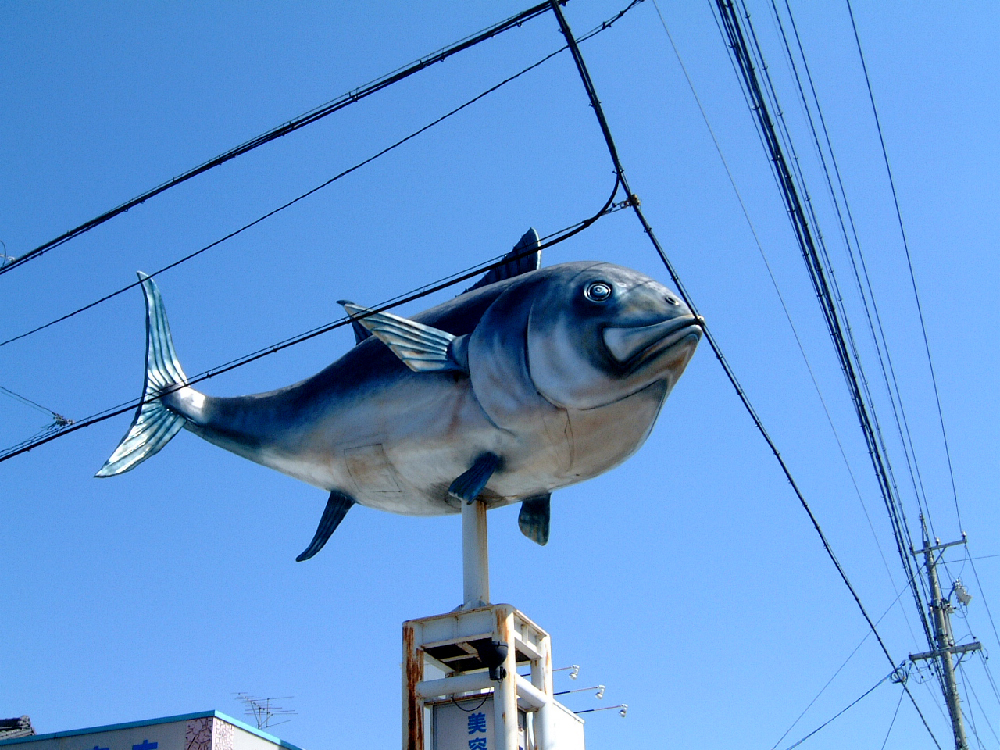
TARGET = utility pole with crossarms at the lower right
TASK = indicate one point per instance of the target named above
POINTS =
(944, 640)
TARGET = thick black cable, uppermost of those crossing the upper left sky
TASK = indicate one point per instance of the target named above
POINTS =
(318, 113)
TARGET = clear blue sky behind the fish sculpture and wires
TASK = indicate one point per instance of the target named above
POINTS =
(688, 580)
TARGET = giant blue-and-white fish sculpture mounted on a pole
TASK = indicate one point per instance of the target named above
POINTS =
(531, 380)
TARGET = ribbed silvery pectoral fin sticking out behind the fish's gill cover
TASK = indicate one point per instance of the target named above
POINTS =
(422, 348)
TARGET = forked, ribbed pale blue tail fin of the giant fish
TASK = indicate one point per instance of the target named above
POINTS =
(154, 424)
